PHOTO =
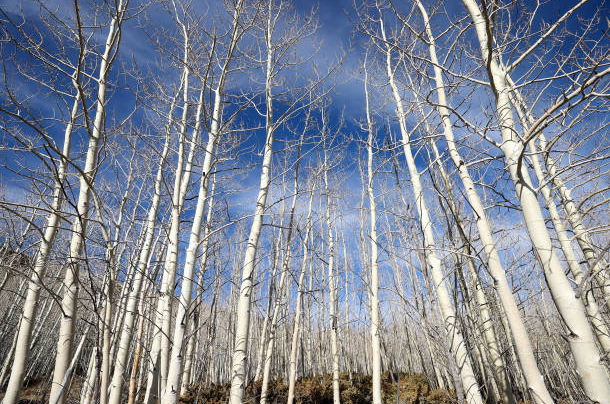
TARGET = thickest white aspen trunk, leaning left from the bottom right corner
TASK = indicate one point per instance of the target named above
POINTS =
(592, 373)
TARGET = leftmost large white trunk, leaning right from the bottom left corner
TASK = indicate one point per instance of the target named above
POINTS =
(24, 334)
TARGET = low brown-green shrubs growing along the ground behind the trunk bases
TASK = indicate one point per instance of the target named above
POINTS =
(396, 388)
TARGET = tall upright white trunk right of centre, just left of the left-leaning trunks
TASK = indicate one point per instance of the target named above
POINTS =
(374, 285)
